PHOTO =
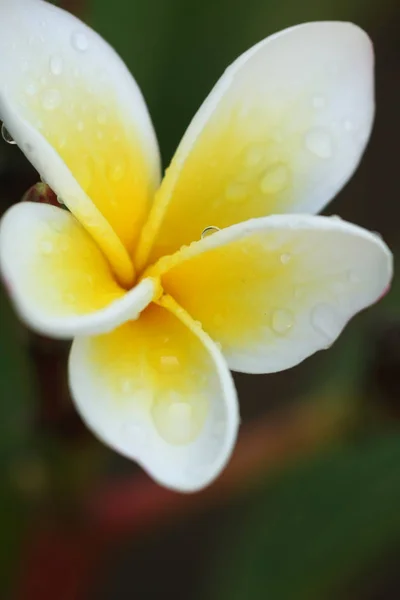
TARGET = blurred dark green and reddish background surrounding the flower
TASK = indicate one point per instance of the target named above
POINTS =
(309, 506)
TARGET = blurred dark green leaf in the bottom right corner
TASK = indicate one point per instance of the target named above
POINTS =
(317, 525)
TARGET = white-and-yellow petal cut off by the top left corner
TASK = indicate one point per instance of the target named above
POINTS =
(72, 106)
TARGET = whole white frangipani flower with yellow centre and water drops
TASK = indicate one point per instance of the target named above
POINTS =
(158, 312)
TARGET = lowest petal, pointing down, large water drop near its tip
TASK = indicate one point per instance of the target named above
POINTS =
(161, 394)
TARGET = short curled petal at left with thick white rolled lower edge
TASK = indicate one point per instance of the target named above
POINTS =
(58, 278)
